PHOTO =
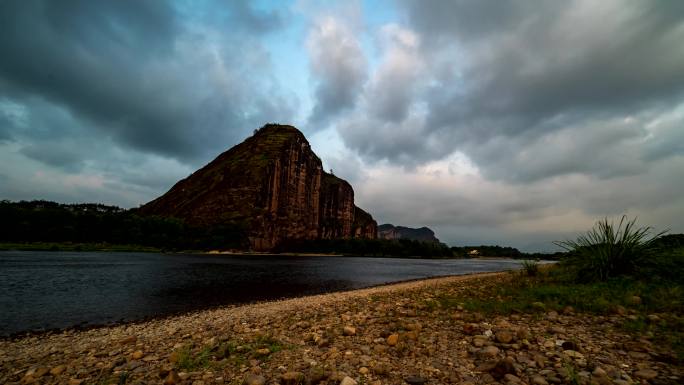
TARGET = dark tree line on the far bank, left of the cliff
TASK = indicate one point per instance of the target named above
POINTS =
(44, 221)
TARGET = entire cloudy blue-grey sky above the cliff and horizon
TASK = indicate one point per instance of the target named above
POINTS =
(513, 123)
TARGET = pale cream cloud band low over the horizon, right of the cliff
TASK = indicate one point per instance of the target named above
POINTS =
(463, 207)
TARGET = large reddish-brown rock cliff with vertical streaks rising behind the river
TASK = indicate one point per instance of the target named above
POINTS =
(272, 183)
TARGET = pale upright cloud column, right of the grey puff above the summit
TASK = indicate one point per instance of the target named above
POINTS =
(388, 123)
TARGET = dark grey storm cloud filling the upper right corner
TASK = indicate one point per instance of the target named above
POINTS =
(542, 61)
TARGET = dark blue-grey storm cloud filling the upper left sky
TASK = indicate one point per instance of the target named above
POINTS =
(137, 72)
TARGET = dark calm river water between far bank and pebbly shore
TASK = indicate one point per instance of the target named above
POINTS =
(48, 290)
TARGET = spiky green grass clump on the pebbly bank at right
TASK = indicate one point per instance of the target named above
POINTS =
(609, 250)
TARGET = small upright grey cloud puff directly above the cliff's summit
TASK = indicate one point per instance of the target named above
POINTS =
(338, 65)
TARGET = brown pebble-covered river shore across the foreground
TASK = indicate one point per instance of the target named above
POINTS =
(394, 334)
